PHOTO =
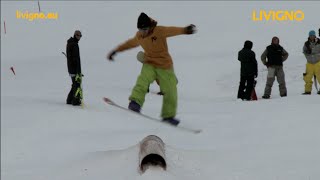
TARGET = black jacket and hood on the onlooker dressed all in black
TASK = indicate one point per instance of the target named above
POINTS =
(249, 65)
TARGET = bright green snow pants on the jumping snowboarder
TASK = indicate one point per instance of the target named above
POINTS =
(168, 86)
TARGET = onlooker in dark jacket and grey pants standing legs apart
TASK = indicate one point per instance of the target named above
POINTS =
(273, 57)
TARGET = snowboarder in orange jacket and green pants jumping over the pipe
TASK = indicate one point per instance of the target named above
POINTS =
(157, 64)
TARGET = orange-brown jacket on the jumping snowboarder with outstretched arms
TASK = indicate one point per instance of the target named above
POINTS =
(154, 45)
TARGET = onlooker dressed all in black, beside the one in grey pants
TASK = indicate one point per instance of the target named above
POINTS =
(249, 71)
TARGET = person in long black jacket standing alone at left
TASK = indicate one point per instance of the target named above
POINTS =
(74, 69)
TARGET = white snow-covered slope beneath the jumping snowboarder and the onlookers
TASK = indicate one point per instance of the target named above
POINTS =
(43, 138)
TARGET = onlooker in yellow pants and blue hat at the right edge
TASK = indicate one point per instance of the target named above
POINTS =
(311, 50)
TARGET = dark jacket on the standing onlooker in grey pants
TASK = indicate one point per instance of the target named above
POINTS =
(275, 54)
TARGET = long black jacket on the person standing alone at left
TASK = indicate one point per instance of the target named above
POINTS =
(73, 56)
